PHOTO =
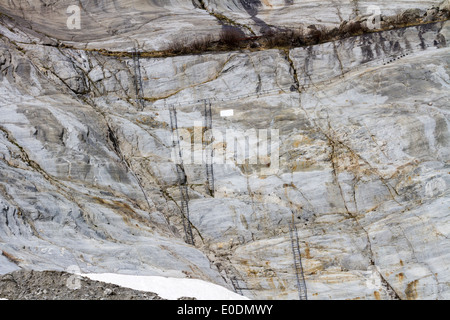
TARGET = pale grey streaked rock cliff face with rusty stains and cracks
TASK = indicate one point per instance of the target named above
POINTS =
(88, 179)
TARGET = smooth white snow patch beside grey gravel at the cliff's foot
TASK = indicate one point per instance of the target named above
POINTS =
(168, 288)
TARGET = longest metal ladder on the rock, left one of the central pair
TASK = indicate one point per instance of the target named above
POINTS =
(181, 174)
